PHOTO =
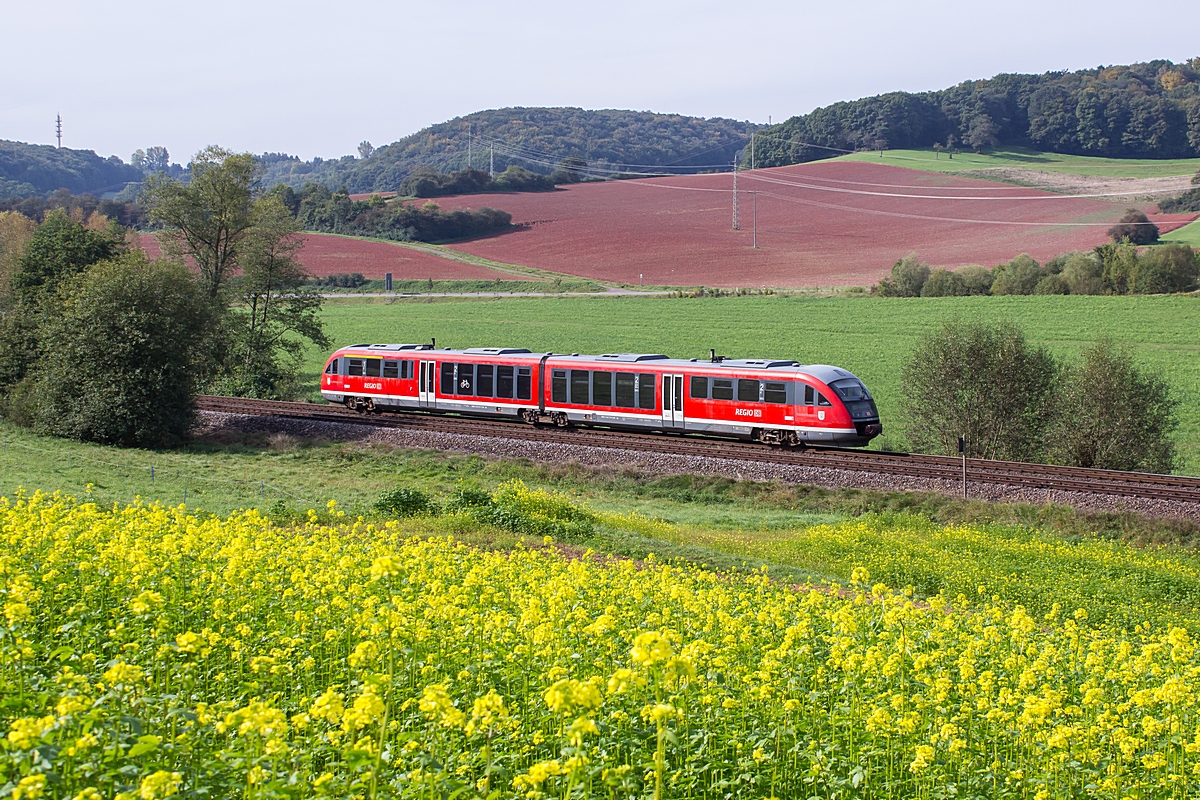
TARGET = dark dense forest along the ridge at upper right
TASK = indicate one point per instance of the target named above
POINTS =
(1143, 111)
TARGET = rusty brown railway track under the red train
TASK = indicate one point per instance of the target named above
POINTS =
(1016, 474)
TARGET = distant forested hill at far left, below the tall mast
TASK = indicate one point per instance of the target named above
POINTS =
(38, 170)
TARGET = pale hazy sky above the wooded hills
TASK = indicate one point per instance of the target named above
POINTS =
(316, 79)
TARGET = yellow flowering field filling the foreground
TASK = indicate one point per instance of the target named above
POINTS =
(152, 653)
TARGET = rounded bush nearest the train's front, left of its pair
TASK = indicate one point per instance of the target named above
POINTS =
(981, 381)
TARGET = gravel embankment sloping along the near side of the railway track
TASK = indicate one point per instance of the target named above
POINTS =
(212, 423)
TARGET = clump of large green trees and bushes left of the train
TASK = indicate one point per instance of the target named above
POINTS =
(99, 342)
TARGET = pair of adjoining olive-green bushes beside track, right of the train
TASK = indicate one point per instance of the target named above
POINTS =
(1017, 402)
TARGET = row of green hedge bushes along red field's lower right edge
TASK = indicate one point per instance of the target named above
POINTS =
(1109, 269)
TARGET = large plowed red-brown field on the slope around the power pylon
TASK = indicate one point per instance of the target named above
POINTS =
(819, 225)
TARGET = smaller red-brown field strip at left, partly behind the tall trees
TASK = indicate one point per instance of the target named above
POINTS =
(334, 255)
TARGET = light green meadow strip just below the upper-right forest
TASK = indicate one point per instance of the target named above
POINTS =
(1023, 159)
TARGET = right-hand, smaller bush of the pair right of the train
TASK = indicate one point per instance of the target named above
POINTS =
(1111, 414)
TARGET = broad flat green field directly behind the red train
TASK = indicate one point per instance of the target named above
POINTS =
(871, 336)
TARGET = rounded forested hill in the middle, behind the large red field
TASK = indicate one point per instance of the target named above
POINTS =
(535, 139)
